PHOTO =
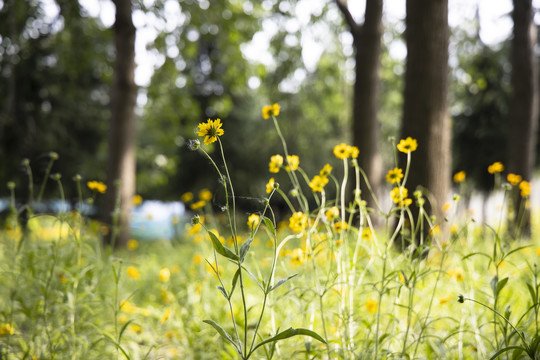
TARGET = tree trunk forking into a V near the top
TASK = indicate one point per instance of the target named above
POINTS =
(365, 125)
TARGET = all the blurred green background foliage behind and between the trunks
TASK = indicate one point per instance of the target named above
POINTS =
(55, 73)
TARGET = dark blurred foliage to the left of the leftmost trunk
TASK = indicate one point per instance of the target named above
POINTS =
(55, 74)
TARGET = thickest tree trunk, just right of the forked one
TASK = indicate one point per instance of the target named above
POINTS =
(425, 108)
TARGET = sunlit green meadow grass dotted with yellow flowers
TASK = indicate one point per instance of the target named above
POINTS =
(326, 284)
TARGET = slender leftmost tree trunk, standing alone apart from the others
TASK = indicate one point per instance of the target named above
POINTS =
(121, 160)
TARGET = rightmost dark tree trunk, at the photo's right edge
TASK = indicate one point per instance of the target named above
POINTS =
(524, 108)
